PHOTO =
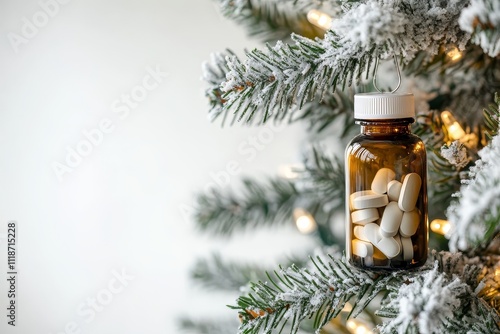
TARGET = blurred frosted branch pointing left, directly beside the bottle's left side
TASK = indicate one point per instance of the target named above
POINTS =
(320, 183)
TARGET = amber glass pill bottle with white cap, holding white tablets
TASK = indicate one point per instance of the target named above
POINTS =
(386, 188)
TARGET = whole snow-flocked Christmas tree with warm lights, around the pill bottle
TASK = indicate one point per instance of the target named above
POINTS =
(452, 49)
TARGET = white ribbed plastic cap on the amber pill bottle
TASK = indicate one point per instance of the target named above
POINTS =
(384, 106)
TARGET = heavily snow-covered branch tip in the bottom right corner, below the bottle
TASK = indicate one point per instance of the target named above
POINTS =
(440, 304)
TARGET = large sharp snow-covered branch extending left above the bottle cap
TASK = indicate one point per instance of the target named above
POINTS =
(270, 81)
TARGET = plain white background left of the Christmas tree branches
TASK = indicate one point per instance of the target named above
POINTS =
(120, 208)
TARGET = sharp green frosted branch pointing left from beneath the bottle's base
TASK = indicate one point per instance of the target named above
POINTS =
(298, 294)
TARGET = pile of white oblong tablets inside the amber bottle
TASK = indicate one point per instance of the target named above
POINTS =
(386, 217)
